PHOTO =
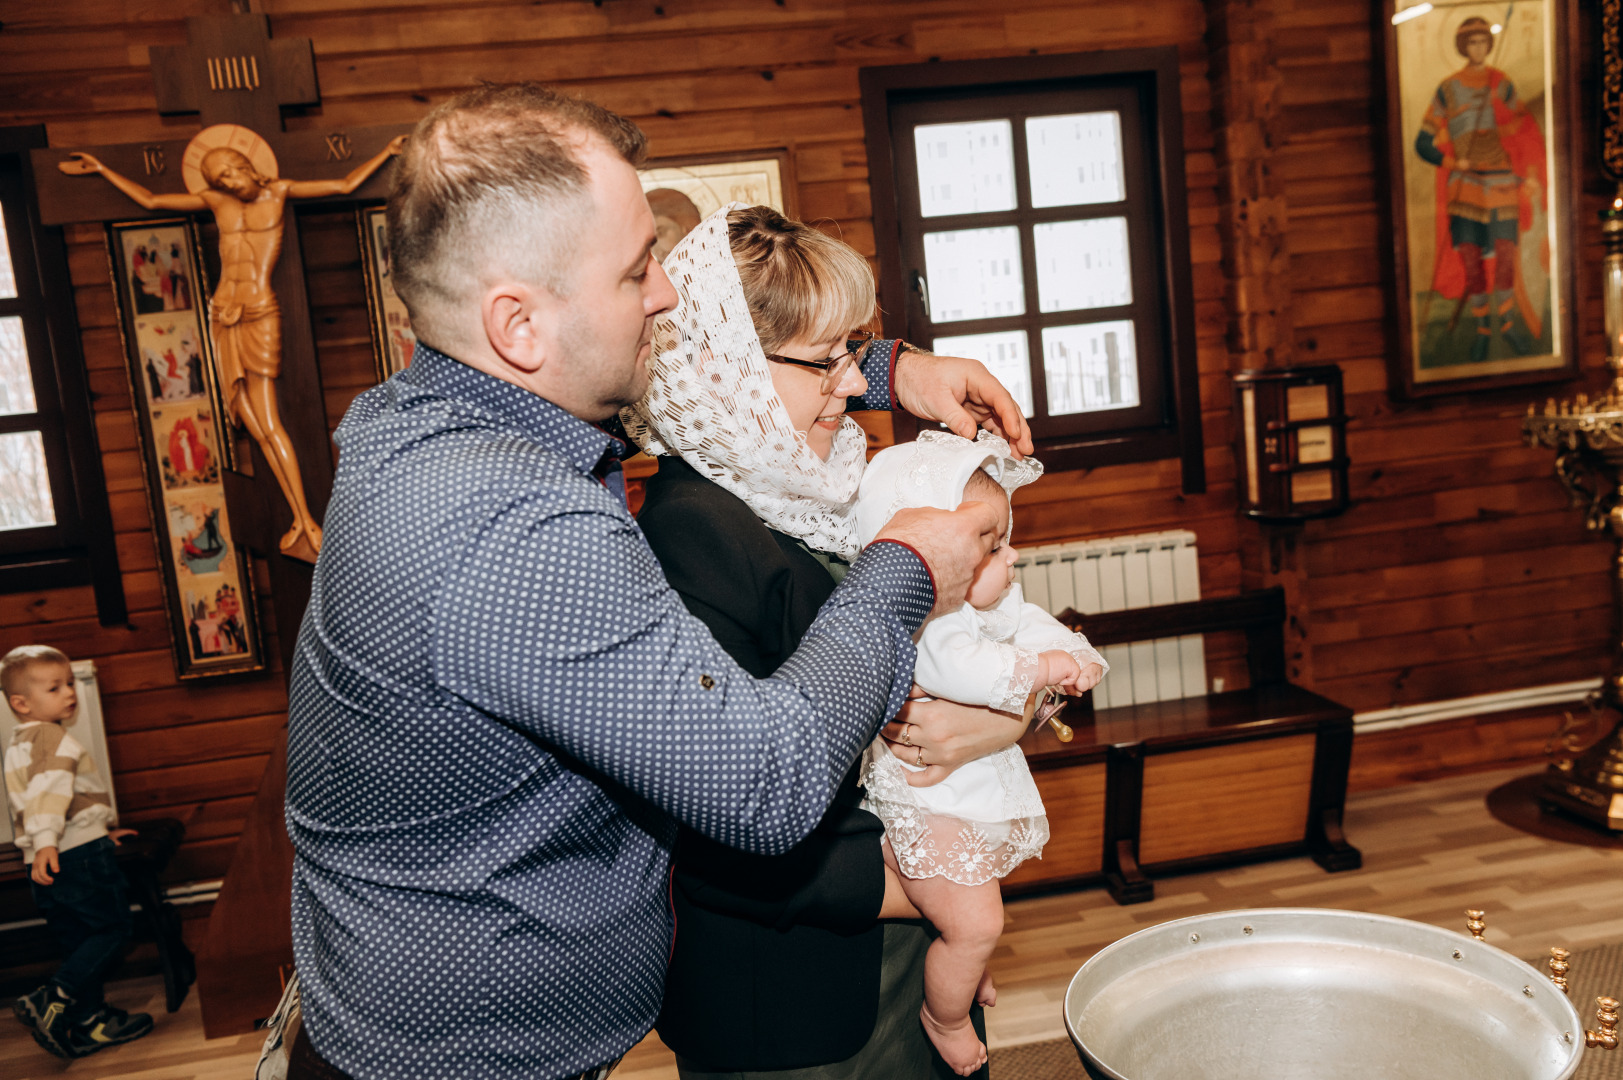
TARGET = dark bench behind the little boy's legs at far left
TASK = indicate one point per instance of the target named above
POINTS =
(142, 858)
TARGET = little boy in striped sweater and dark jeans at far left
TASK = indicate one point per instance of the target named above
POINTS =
(61, 816)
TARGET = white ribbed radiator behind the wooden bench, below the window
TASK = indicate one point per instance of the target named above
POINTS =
(1116, 574)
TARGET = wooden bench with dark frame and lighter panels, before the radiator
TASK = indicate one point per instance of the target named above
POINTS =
(1152, 790)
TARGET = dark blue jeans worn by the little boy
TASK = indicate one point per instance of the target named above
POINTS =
(88, 910)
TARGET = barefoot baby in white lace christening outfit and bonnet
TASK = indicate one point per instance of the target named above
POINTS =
(952, 840)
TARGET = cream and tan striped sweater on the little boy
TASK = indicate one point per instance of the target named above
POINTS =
(58, 798)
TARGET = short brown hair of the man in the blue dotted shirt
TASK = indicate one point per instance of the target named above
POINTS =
(488, 179)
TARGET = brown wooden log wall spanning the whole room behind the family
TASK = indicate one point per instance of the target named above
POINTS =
(1458, 571)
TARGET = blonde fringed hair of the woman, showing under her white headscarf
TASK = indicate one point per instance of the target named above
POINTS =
(799, 283)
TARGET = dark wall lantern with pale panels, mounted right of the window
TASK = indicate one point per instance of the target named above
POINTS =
(1293, 443)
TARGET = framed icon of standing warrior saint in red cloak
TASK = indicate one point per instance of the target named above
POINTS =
(1481, 152)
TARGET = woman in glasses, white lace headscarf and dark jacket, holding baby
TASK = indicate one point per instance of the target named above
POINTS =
(806, 966)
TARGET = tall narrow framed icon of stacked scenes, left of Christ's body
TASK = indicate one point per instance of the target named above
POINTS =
(209, 581)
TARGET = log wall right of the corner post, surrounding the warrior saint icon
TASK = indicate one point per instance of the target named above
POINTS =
(1460, 569)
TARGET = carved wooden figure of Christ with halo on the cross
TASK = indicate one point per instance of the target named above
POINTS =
(249, 210)
